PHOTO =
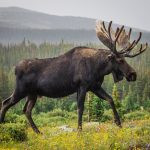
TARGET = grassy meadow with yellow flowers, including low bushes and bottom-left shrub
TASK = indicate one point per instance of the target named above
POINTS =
(135, 133)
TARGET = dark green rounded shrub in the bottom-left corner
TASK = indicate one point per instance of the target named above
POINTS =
(12, 132)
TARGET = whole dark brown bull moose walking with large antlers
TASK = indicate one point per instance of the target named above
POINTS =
(79, 70)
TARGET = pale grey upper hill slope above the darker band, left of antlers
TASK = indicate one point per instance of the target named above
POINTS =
(14, 17)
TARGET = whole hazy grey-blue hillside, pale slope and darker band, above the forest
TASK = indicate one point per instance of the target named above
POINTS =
(18, 23)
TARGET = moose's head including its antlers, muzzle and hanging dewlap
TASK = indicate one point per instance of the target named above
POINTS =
(115, 40)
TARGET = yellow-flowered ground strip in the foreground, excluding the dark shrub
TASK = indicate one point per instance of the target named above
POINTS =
(135, 134)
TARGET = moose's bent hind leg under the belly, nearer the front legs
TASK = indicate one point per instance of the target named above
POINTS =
(31, 100)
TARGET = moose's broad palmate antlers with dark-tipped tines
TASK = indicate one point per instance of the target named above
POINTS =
(118, 38)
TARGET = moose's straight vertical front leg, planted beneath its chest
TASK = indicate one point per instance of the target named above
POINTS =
(81, 93)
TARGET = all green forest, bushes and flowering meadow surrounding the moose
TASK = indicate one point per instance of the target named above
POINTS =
(132, 101)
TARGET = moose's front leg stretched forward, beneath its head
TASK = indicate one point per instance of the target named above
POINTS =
(100, 92)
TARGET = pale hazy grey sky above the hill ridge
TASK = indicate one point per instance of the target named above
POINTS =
(134, 13)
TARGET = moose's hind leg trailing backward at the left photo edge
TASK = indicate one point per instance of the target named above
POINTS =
(9, 102)
